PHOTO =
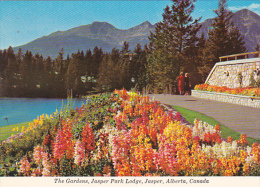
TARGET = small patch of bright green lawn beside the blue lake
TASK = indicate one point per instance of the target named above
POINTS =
(7, 130)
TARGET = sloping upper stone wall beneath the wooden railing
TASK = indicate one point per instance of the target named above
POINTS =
(227, 73)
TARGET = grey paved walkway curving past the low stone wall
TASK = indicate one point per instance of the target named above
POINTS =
(242, 119)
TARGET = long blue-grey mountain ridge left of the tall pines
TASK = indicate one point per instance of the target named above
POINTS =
(86, 37)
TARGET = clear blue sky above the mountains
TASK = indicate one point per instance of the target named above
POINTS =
(24, 21)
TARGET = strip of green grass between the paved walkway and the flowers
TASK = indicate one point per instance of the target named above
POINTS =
(191, 115)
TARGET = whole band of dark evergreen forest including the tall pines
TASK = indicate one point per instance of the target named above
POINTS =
(174, 47)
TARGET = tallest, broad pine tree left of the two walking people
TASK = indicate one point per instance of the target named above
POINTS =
(175, 37)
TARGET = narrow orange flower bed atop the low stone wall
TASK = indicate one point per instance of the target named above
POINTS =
(255, 92)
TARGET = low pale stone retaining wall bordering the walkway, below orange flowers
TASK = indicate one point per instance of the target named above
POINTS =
(228, 98)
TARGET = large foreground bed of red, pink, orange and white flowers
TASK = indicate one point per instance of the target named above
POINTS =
(125, 134)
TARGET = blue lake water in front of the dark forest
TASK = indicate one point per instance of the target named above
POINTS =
(18, 110)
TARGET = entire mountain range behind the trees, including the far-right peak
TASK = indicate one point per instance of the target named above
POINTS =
(106, 36)
